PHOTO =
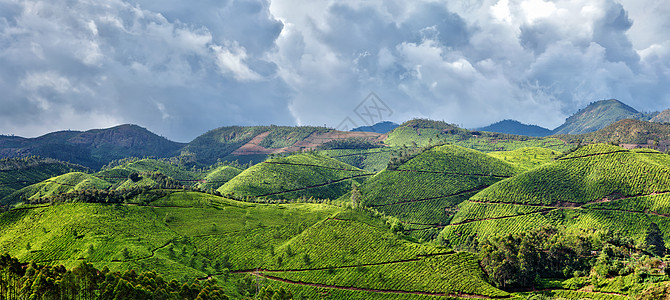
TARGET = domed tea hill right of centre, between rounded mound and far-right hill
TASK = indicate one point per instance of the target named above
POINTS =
(422, 191)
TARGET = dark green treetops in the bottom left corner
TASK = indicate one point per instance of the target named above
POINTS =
(86, 282)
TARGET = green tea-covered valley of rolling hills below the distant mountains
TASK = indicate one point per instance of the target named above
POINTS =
(426, 211)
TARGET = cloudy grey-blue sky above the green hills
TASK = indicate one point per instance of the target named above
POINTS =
(181, 68)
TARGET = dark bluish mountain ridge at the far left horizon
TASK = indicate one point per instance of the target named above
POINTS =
(92, 148)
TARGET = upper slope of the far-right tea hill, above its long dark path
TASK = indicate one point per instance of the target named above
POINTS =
(591, 173)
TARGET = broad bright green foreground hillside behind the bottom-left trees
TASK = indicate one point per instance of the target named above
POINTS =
(309, 249)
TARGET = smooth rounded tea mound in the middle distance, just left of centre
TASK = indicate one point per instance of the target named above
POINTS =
(301, 175)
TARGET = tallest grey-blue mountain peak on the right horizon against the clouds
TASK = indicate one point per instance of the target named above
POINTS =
(598, 115)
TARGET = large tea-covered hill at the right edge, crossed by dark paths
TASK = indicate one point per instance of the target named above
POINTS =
(595, 187)
